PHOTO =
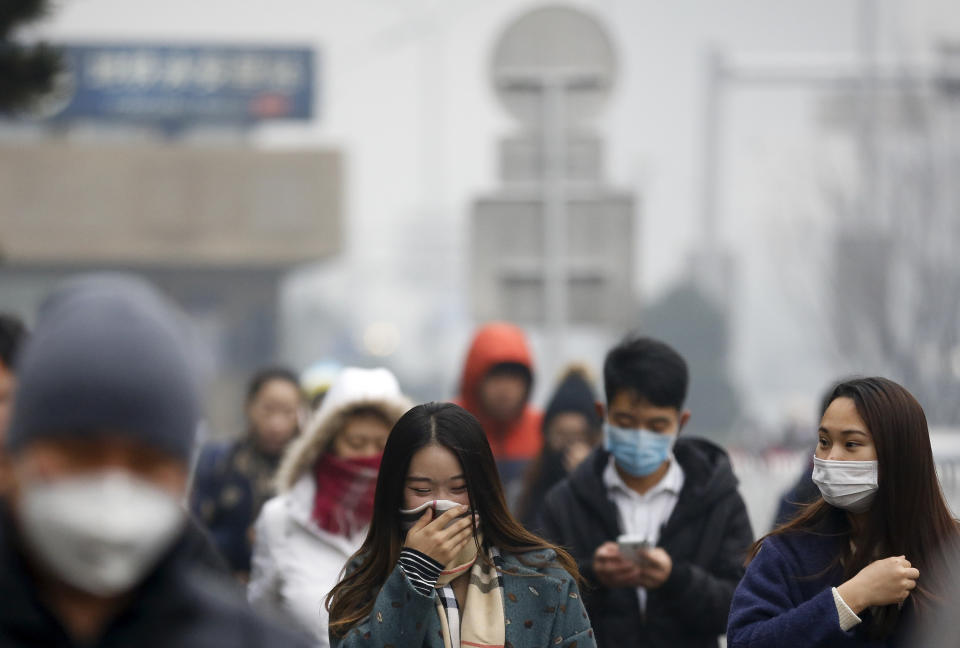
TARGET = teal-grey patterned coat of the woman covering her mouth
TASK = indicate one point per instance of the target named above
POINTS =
(542, 606)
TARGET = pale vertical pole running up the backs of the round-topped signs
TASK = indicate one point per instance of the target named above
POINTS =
(554, 218)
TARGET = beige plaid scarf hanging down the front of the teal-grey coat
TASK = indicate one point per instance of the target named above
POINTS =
(483, 620)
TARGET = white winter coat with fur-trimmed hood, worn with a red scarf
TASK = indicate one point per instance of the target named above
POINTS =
(295, 562)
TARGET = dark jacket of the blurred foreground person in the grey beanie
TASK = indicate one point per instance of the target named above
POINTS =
(182, 604)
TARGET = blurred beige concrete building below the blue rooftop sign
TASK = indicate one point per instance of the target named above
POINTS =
(216, 228)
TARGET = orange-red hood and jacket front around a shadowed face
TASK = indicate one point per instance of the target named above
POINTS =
(493, 344)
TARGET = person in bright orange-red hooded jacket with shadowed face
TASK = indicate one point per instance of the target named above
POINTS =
(495, 388)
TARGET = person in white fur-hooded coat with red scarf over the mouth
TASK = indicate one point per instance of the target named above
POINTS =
(305, 535)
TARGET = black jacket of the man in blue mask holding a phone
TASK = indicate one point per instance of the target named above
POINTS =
(707, 537)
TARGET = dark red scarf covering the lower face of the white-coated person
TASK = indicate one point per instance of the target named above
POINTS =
(343, 503)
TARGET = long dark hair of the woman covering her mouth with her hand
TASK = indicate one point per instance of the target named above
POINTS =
(454, 428)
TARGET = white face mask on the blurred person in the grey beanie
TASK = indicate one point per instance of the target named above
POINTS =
(100, 532)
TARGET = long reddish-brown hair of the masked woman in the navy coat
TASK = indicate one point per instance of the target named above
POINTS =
(908, 516)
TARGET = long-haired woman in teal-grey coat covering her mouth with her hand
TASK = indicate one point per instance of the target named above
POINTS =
(469, 576)
